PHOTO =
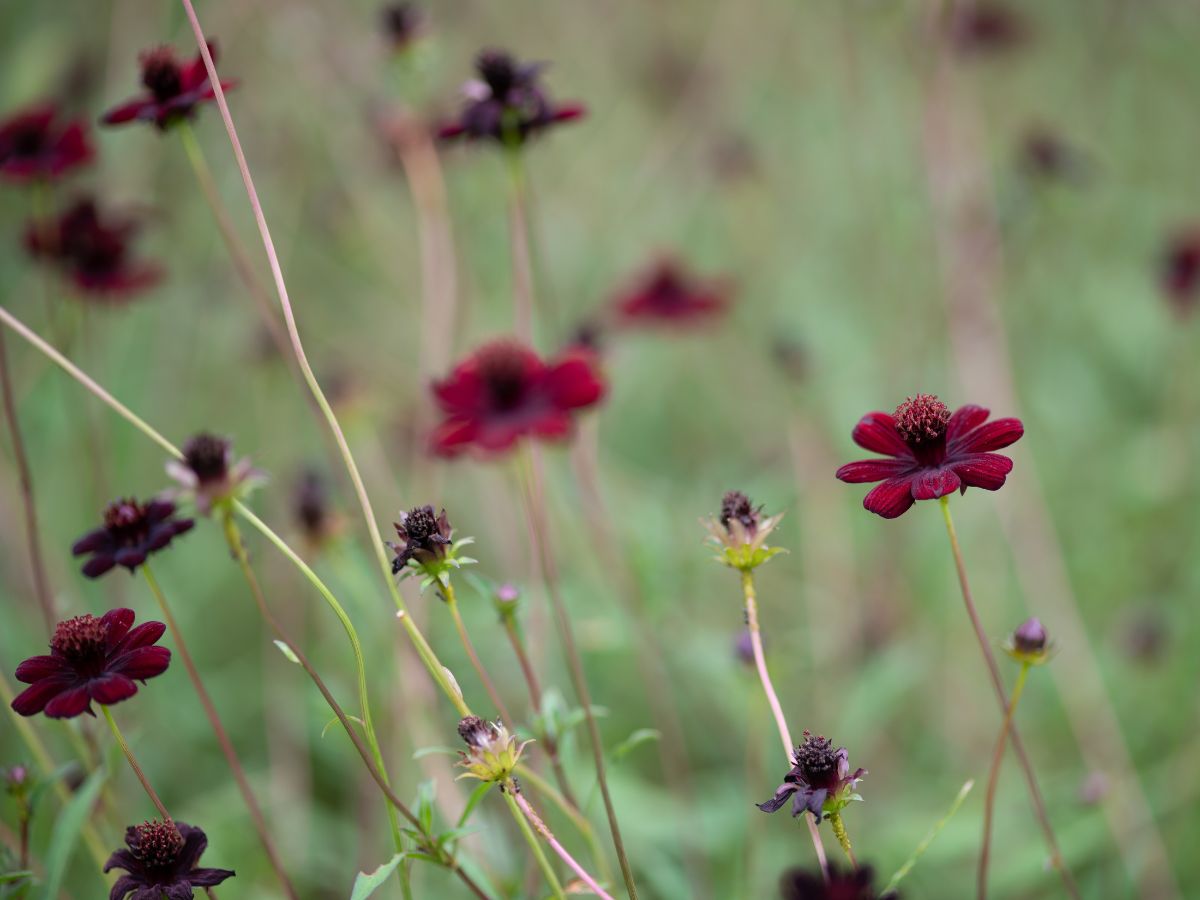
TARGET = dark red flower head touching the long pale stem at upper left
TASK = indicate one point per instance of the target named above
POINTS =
(173, 89)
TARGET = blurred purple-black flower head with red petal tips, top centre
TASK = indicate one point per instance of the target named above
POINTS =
(507, 104)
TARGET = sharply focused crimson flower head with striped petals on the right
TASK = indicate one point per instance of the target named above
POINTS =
(933, 453)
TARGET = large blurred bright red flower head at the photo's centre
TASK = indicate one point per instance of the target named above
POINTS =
(505, 392)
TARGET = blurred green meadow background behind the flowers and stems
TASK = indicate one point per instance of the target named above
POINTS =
(863, 188)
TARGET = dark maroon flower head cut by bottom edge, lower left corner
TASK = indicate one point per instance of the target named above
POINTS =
(161, 862)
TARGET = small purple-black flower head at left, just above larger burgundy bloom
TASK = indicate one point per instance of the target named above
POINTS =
(131, 532)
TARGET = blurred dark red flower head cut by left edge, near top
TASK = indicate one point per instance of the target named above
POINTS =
(35, 146)
